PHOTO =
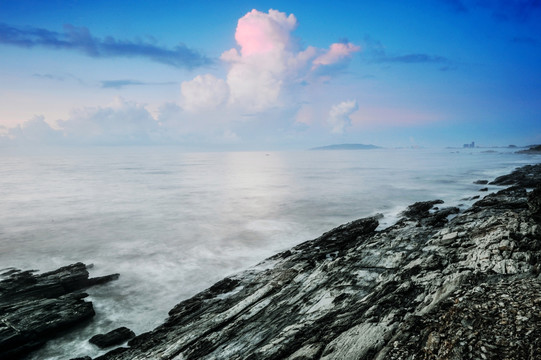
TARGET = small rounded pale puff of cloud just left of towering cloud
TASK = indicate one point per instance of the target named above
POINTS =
(204, 92)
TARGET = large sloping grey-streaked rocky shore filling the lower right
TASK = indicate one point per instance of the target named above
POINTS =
(438, 284)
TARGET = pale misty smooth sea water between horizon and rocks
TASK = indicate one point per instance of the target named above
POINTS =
(173, 223)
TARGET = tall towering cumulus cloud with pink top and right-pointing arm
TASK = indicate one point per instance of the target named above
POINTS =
(269, 63)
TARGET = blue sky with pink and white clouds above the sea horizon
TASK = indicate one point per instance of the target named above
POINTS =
(270, 75)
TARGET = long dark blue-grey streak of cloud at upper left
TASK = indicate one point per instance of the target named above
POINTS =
(80, 39)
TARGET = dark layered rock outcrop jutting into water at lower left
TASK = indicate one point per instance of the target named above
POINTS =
(37, 307)
